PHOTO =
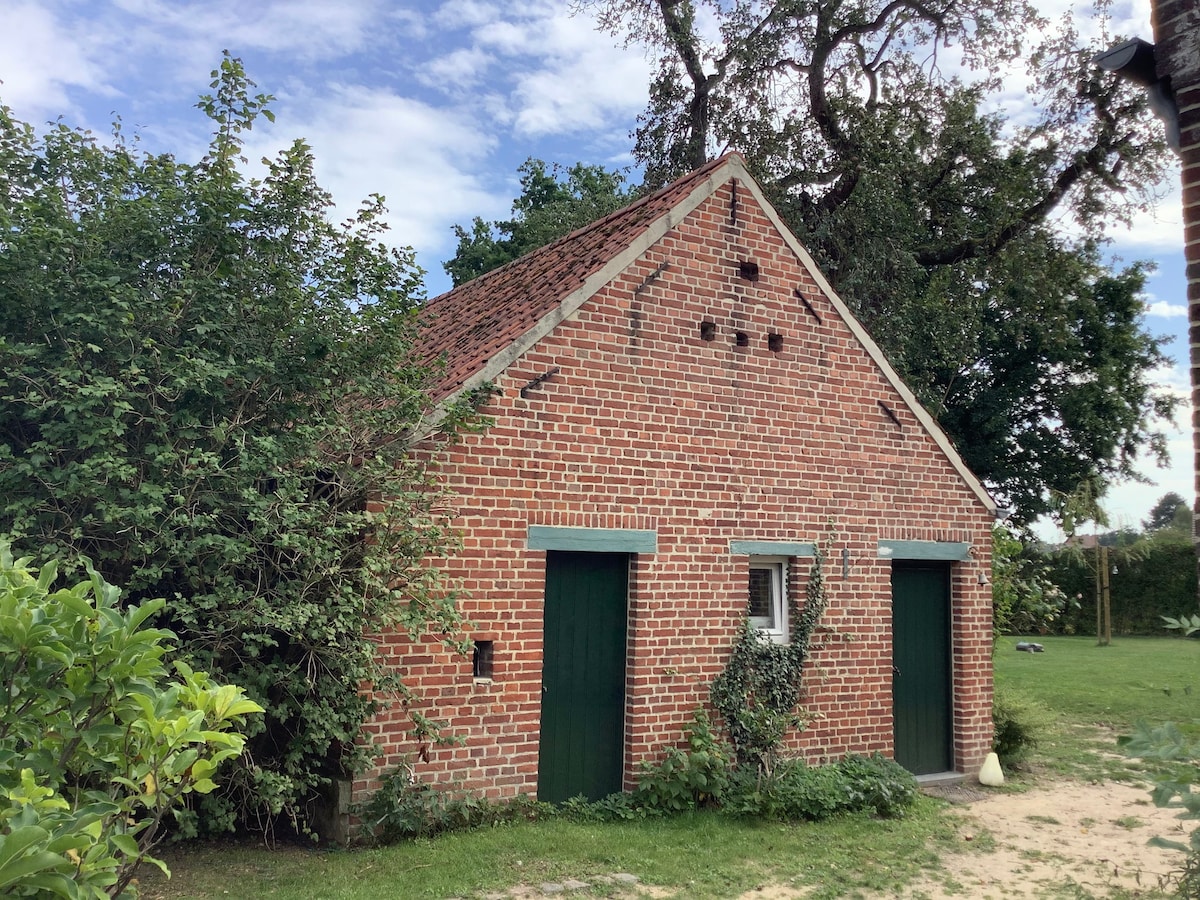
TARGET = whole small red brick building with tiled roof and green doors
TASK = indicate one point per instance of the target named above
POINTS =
(683, 407)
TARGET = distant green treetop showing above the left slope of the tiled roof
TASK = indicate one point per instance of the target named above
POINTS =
(551, 206)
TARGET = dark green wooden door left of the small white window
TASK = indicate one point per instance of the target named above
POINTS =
(581, 748)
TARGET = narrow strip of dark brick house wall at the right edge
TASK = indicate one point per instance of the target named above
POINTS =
(1178, 56)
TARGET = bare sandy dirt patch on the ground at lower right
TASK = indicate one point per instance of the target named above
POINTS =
(1067, 841)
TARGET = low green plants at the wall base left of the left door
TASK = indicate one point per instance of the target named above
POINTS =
(404, 809)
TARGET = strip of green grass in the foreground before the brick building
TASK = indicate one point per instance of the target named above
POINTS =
(699, 856)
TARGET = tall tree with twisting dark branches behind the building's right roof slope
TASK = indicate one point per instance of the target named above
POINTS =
(865, 122)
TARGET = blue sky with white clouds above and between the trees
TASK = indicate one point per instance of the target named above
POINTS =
(435, 106)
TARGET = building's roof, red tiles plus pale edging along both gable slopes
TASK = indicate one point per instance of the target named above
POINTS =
(481, 328)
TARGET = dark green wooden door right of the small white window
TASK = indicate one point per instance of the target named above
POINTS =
(921, 667)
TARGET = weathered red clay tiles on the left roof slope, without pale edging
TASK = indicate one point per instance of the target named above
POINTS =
(471, 325)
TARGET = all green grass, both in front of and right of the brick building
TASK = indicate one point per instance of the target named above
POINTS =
(1089, 693)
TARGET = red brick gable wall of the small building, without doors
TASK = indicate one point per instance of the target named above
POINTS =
(649, 427)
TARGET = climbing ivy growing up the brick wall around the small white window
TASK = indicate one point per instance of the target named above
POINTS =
(759, 691)
